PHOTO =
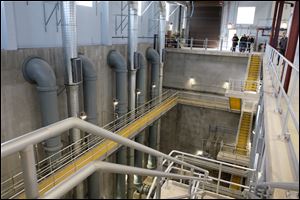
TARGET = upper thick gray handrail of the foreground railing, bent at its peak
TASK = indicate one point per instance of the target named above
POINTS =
(34, 137)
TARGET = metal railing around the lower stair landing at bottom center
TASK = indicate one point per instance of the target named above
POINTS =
(197, 188)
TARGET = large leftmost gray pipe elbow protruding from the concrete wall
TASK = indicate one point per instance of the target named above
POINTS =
(37, 71)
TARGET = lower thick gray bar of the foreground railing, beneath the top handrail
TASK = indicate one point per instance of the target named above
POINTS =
(65, 186)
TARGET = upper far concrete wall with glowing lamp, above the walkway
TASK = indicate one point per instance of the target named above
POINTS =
(210, 70)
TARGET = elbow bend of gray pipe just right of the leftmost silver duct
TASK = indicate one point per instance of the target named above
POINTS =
(88, 70)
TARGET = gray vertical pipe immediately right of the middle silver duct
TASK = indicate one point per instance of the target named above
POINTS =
(141, 88)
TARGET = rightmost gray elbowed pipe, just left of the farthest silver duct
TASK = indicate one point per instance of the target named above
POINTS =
(153, 58)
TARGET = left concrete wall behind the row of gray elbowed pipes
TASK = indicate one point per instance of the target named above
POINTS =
(20, 111)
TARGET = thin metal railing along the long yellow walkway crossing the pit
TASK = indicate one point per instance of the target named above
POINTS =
(49, 167)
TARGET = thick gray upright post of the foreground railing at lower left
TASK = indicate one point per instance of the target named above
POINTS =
(29, 173)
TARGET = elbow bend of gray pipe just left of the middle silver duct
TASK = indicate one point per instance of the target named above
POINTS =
(117, 61)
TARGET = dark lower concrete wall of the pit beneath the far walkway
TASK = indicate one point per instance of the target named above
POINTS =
(191, 129)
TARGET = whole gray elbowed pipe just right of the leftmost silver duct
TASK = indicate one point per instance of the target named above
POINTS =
(90, 106)
